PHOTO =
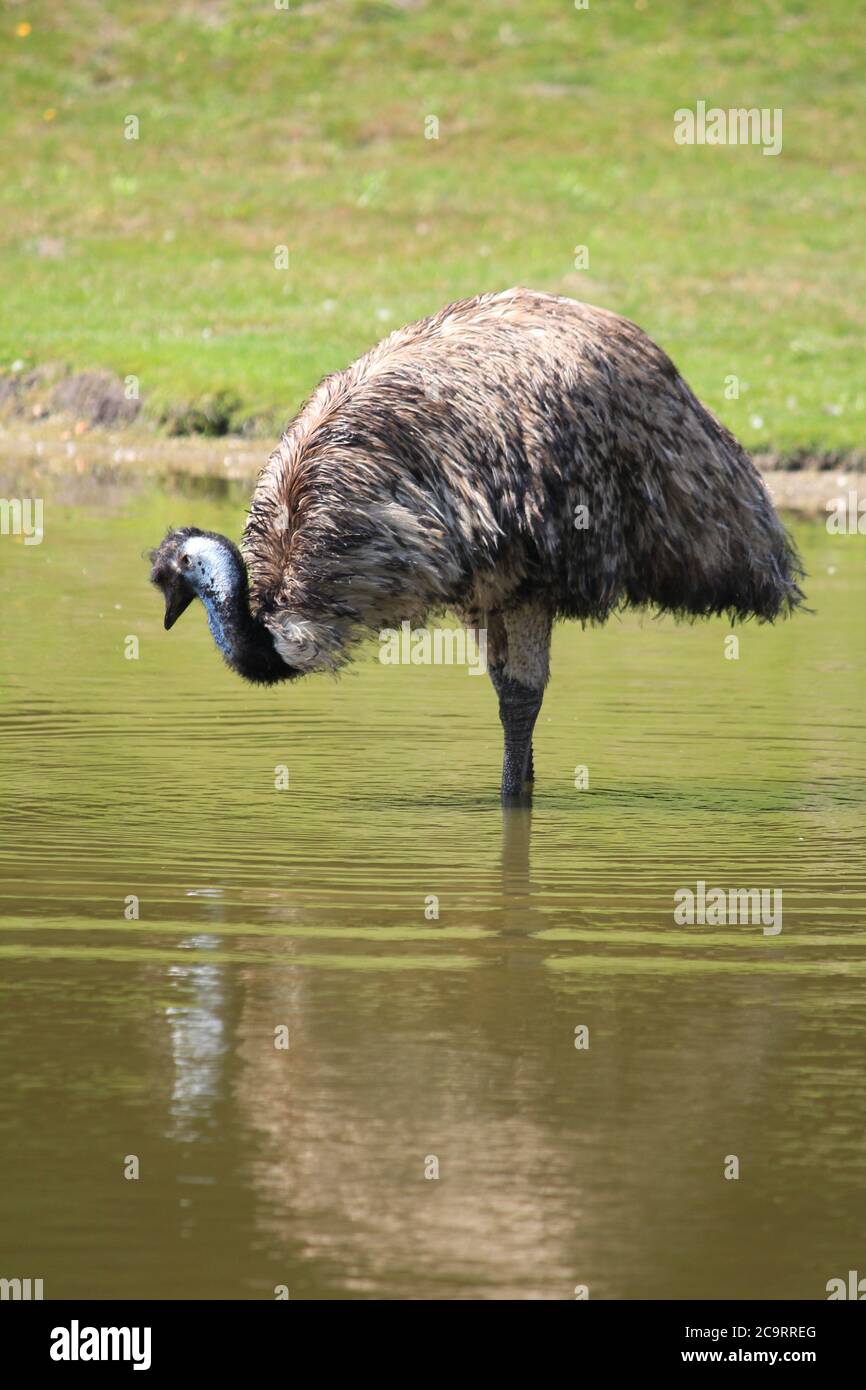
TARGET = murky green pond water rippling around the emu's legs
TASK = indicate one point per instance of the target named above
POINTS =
(414, 1038)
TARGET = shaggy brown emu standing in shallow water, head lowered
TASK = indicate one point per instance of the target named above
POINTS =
(516, 458)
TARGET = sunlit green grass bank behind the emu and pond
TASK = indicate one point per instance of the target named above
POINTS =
(307, 129)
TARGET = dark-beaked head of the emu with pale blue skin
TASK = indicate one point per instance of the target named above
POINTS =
(193, 564)
